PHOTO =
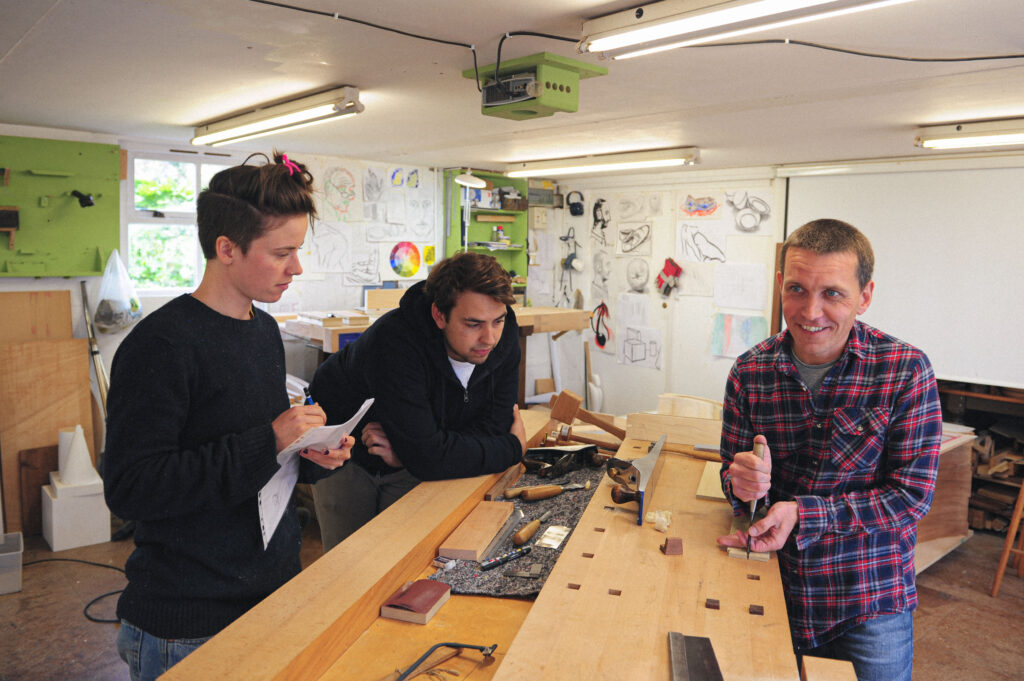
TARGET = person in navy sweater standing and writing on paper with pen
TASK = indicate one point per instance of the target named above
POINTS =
(198, 414)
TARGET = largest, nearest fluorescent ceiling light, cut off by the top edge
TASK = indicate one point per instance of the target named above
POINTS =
(673, 24)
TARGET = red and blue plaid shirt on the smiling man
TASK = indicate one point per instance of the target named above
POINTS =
(860, 459)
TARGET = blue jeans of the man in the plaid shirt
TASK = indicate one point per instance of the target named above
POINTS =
(881, 650)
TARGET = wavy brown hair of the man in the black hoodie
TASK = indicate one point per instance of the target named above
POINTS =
(467, 272)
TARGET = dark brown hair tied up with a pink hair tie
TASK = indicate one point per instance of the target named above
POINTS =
(242, 202)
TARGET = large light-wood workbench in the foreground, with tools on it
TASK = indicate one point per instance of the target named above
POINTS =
(605, 612)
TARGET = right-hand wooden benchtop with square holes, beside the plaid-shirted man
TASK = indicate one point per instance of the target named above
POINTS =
(614, 595)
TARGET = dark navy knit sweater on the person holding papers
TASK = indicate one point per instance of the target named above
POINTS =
(189, 447)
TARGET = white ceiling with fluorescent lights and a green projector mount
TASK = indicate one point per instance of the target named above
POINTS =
(156, 69)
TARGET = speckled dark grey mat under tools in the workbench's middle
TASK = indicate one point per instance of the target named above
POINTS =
(467, 578)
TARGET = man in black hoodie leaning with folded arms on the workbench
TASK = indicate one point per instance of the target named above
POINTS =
(444, 371)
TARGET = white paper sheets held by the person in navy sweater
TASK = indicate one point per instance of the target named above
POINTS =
(276, 494)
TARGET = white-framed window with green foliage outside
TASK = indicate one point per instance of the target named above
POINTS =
(160, 242)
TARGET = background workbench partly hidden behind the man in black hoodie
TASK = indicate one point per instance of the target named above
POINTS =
(531, 321)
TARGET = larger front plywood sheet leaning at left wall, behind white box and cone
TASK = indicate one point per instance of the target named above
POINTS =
(45, 387)
